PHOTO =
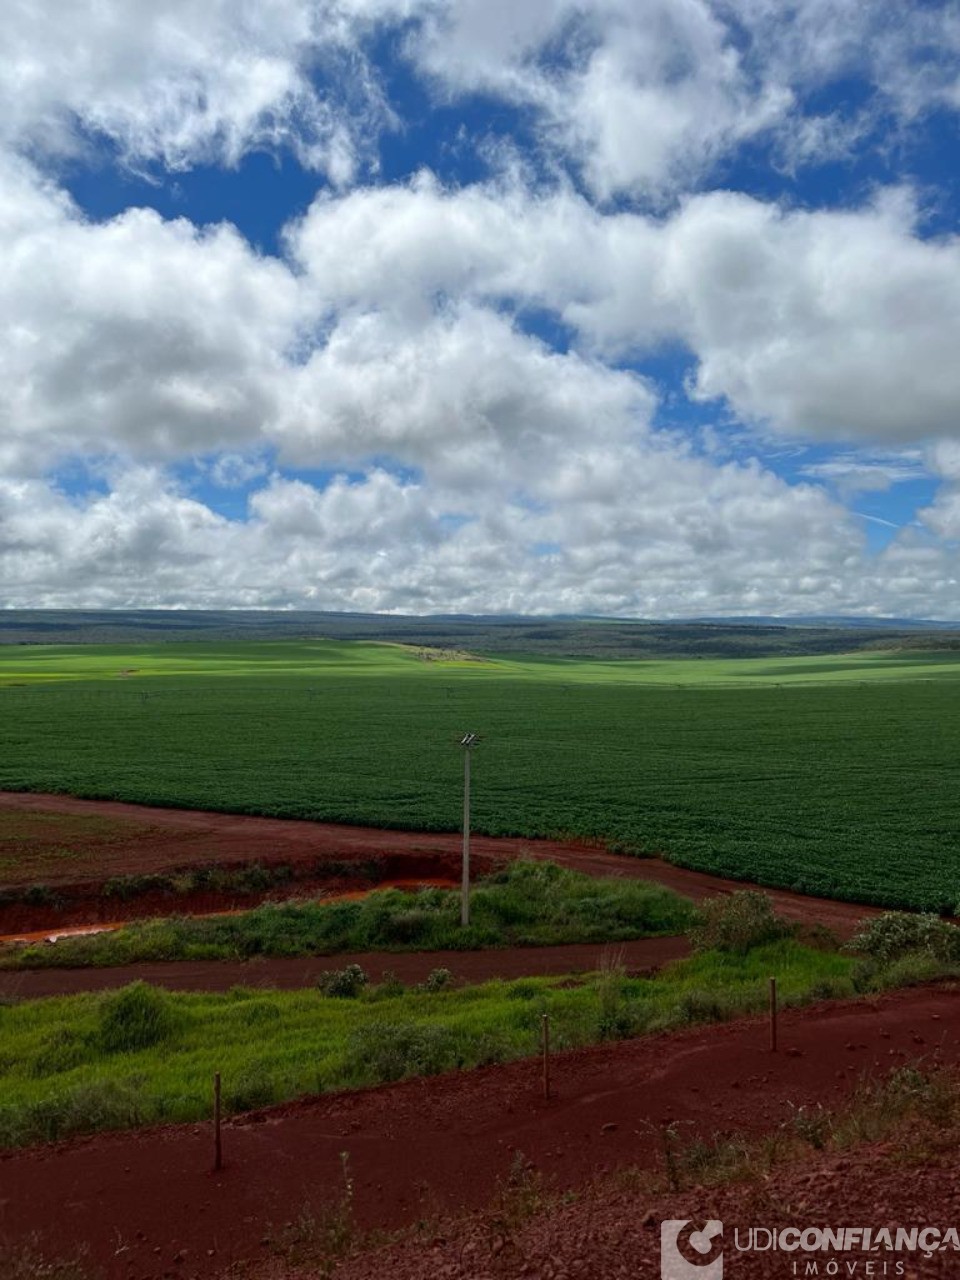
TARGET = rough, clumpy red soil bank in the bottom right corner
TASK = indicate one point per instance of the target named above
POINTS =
(615, 1235)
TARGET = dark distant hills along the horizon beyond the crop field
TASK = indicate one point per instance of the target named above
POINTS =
(559, 637)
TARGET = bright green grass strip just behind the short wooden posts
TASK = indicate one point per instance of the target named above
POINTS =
(138, 1057)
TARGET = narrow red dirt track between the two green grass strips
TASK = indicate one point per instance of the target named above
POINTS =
(289, 975)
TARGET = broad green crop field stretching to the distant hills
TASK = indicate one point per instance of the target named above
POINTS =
(834, 775)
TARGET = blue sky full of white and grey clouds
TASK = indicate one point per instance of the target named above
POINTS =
(642, 310)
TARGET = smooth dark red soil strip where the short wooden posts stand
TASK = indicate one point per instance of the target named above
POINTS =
(148, 1205)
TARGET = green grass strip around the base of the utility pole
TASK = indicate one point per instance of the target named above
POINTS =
(528, 904)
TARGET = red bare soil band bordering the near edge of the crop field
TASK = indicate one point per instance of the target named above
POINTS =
(108, 839)
